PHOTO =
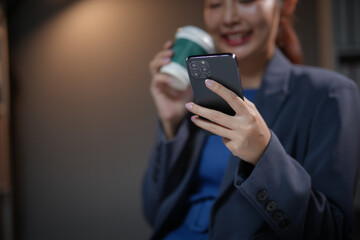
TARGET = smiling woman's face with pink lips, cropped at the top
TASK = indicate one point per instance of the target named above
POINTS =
(247, 28)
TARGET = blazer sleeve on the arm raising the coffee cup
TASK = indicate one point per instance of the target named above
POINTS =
(163, 173)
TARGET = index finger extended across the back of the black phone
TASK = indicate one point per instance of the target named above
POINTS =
(235, 102)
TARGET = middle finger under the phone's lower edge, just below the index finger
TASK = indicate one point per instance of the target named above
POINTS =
(212, 115)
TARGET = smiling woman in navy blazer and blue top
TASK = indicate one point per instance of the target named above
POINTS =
(284, 167)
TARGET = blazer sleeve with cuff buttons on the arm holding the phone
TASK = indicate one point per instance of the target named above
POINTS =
(314, 199)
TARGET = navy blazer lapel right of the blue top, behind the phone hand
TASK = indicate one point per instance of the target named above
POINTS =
(269, 99)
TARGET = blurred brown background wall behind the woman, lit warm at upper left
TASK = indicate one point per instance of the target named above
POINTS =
(77, 120)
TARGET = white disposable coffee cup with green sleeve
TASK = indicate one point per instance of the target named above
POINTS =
(189, 40)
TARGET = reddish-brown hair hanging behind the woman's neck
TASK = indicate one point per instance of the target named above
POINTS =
(287, 40)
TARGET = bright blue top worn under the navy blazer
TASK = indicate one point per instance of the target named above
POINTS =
(214, 159)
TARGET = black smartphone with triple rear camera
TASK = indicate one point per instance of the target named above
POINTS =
(221, 67)
